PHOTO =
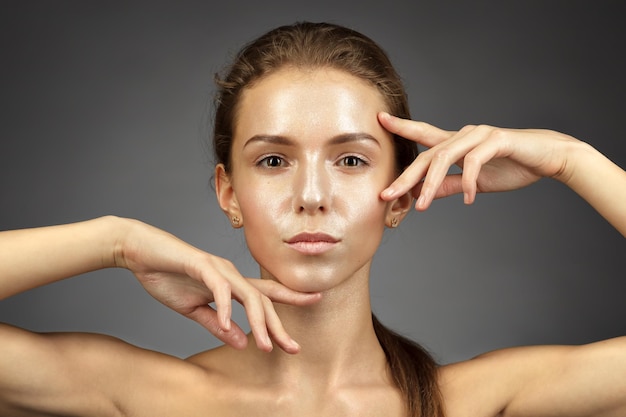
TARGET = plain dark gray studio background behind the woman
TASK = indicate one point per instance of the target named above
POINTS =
(106, 107)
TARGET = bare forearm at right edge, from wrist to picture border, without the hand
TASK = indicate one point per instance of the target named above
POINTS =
(599, 181)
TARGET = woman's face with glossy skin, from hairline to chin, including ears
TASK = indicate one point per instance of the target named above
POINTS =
(309, 160)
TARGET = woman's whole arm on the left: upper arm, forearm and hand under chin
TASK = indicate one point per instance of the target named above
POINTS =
(79, 374)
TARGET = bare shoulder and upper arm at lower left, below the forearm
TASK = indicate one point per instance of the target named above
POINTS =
(90, 374)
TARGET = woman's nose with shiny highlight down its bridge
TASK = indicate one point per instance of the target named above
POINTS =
(312, 188)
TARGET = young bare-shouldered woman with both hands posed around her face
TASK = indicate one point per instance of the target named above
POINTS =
(316, 156)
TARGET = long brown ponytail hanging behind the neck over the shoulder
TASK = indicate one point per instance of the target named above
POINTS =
(414, 372)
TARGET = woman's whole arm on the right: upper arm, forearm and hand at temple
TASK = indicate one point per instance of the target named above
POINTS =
(553, 381)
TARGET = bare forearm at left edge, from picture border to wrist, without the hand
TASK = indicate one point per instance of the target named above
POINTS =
(30, 258)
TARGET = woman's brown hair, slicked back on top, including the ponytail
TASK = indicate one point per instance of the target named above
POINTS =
(322, 45)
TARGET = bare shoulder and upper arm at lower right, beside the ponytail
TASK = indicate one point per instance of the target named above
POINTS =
(539, 380)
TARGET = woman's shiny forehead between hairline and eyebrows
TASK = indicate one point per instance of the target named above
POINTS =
(303, 103)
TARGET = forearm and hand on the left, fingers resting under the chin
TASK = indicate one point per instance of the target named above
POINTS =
(177, 274)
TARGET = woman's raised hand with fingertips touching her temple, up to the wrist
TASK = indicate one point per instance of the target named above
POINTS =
(492, 159)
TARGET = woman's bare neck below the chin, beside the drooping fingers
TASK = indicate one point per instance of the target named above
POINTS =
(336, 336)
